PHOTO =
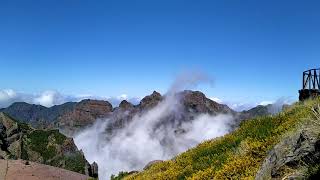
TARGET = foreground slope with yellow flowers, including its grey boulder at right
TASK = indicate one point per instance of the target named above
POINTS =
(255, 149)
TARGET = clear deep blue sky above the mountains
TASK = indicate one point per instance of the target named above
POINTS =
(254, 50)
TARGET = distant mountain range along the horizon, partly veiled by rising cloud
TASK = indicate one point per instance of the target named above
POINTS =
(72, 116)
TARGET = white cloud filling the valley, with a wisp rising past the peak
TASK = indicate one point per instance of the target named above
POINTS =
(150, 135)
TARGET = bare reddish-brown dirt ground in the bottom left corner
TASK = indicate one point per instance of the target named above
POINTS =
(18, 170)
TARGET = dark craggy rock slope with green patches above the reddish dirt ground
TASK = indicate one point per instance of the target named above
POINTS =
(21, 141)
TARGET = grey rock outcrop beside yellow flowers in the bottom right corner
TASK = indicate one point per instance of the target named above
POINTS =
(291, 157)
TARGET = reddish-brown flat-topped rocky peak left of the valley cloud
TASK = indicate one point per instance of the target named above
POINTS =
(85, 113)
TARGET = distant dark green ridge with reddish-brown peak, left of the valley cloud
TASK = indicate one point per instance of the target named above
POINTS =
(69, 116)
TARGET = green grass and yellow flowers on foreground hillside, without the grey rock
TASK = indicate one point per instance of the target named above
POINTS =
(240, 154)
